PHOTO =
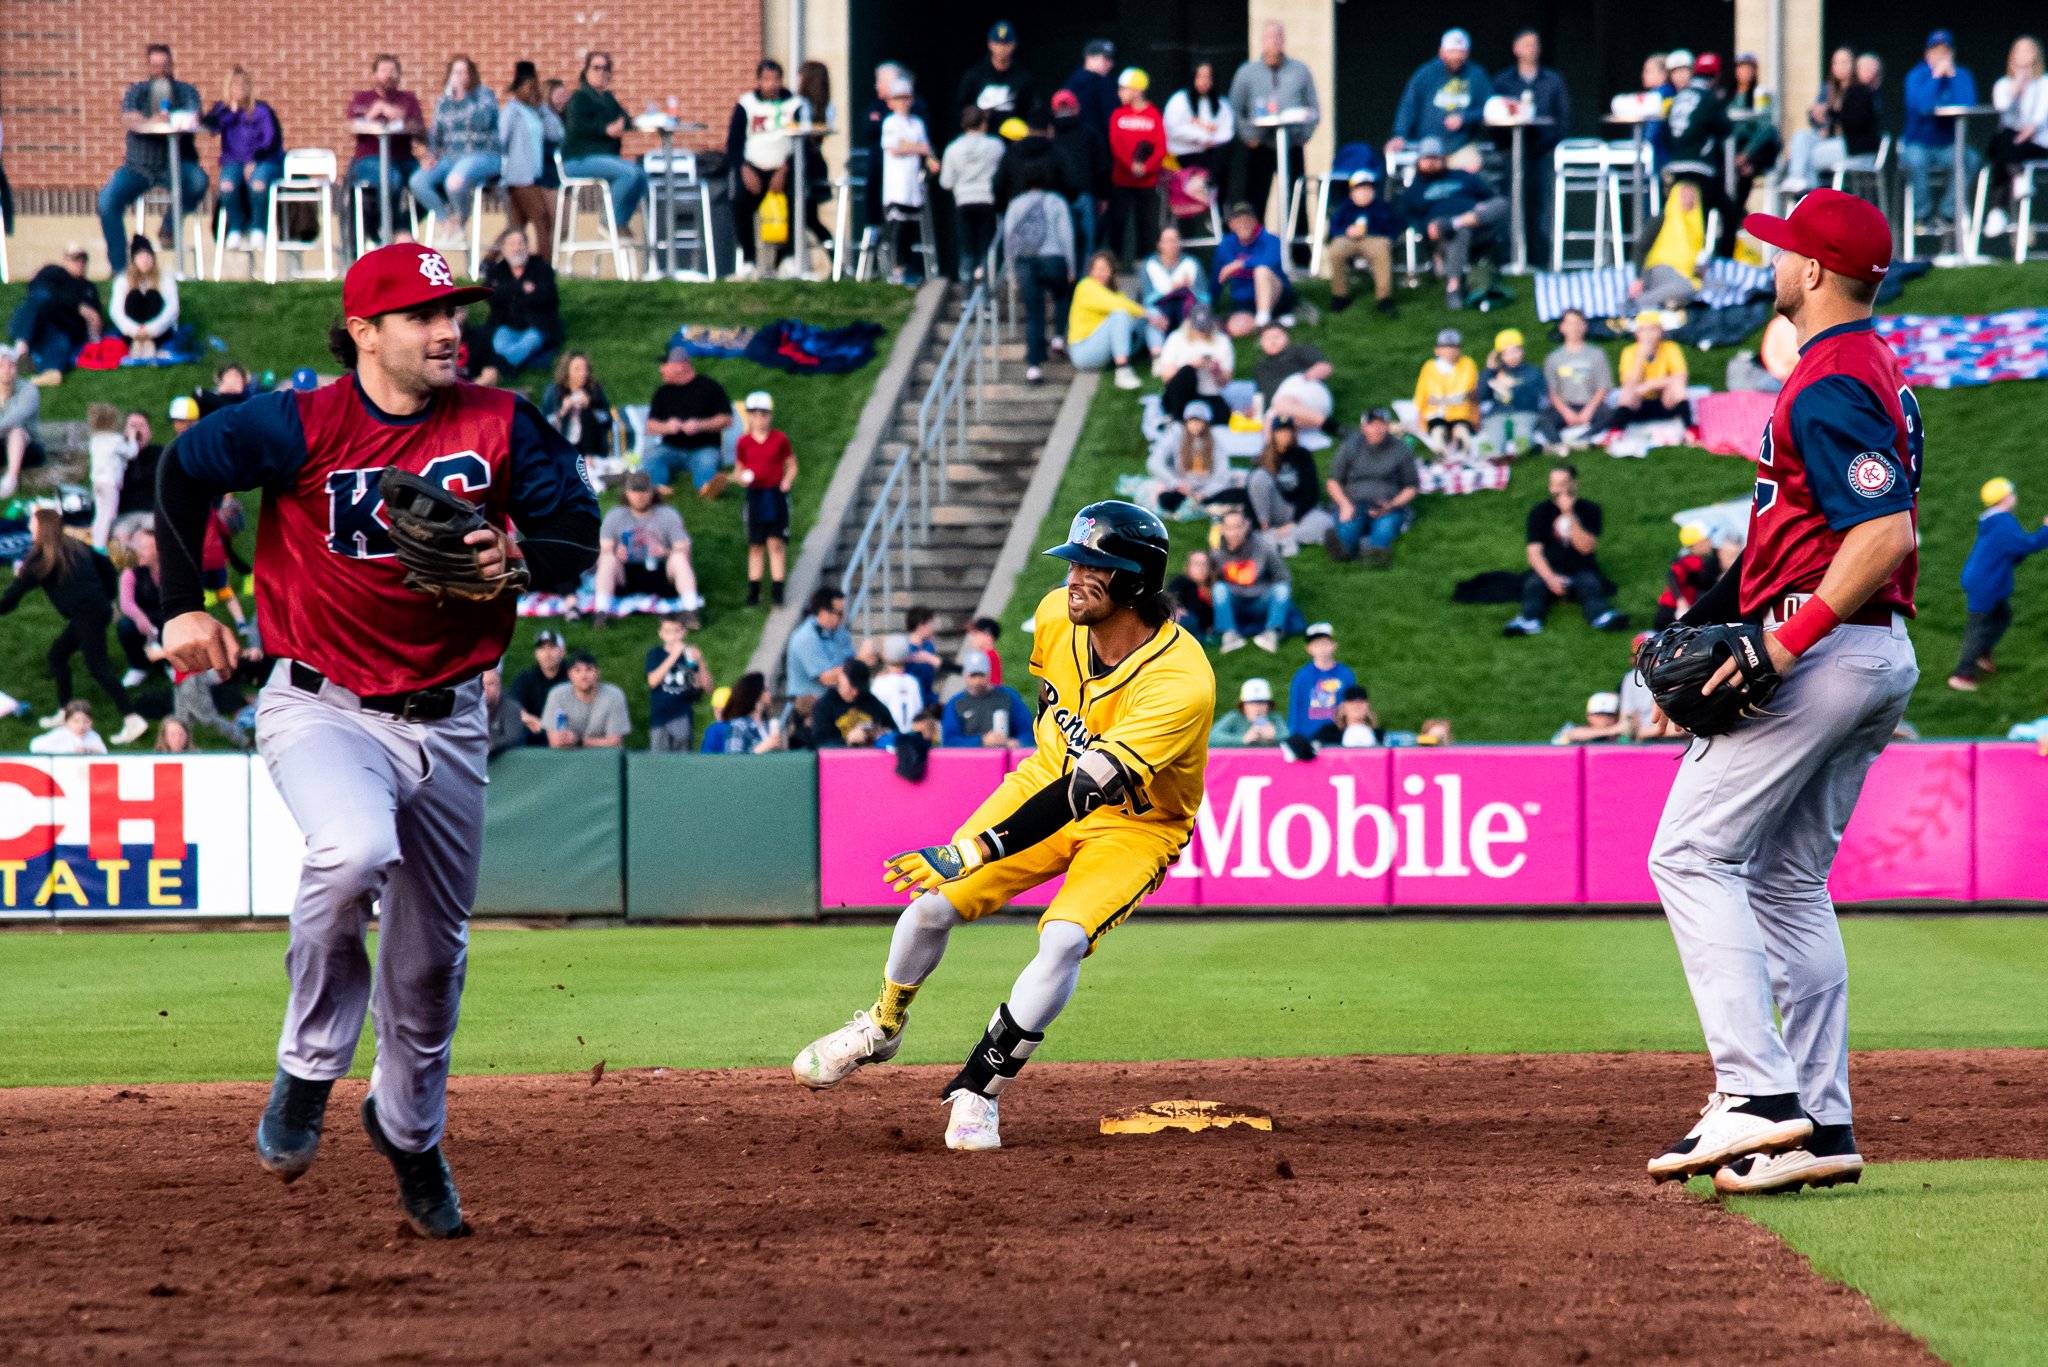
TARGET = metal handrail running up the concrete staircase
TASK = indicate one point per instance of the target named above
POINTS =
(882, 552)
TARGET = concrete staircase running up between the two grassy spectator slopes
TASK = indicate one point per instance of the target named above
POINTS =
(986, 481)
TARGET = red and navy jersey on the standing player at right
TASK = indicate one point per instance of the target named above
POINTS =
(1844, 448)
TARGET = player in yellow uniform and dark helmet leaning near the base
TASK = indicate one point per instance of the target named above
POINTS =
(1109, 800)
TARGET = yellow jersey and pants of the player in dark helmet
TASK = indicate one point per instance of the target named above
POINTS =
(1152, 712)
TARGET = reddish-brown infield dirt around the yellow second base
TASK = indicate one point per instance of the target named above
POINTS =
(1404, 1210)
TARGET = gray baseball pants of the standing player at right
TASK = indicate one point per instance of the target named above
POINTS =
(1742, 862)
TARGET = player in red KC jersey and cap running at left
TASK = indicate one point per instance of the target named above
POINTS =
(374, 722)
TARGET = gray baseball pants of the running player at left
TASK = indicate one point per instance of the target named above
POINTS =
(394, 821)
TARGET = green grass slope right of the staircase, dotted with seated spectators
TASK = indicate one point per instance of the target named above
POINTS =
(1424, 657)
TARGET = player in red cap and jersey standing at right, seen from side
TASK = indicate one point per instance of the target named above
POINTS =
(1756, 817)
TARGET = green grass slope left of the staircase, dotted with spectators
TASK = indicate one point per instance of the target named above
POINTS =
(624, 329)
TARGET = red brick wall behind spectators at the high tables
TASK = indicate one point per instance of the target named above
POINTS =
(67, 63)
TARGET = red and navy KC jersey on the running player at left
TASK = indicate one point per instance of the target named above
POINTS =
(329, 587)
